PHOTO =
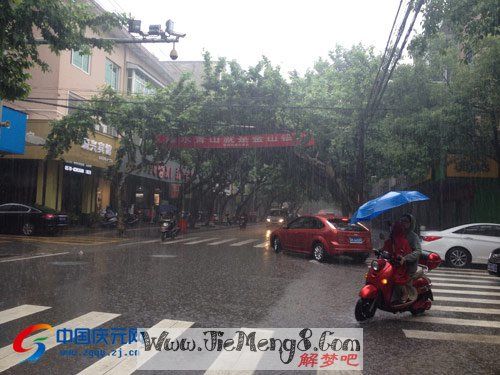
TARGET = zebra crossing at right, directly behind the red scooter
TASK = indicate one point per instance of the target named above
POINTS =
(472, 311)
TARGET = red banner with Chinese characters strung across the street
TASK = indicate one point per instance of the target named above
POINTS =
(239, 141)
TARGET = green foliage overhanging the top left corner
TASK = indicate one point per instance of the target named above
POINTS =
(62, 24)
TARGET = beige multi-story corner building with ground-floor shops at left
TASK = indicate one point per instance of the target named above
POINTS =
(76, 182)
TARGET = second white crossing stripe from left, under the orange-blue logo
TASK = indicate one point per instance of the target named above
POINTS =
(10, 358)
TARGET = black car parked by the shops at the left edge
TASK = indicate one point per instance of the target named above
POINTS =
(28, 220)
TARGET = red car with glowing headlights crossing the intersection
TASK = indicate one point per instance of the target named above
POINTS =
(322, 236)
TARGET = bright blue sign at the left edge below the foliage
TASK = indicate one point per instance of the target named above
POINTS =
(12, 131)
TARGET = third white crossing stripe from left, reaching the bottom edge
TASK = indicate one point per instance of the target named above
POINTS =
(127, 365)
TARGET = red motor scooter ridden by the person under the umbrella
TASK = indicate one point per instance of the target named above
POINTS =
(377, 293)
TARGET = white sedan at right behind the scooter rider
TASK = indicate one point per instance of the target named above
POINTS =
(465, 244)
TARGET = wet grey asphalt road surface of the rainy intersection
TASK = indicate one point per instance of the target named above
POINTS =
(230, 278)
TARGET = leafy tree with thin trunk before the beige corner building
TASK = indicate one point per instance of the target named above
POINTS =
(138, 121)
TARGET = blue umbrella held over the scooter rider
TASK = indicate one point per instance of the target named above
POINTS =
(378, 206)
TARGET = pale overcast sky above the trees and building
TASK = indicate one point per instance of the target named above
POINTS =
(292, 34)
